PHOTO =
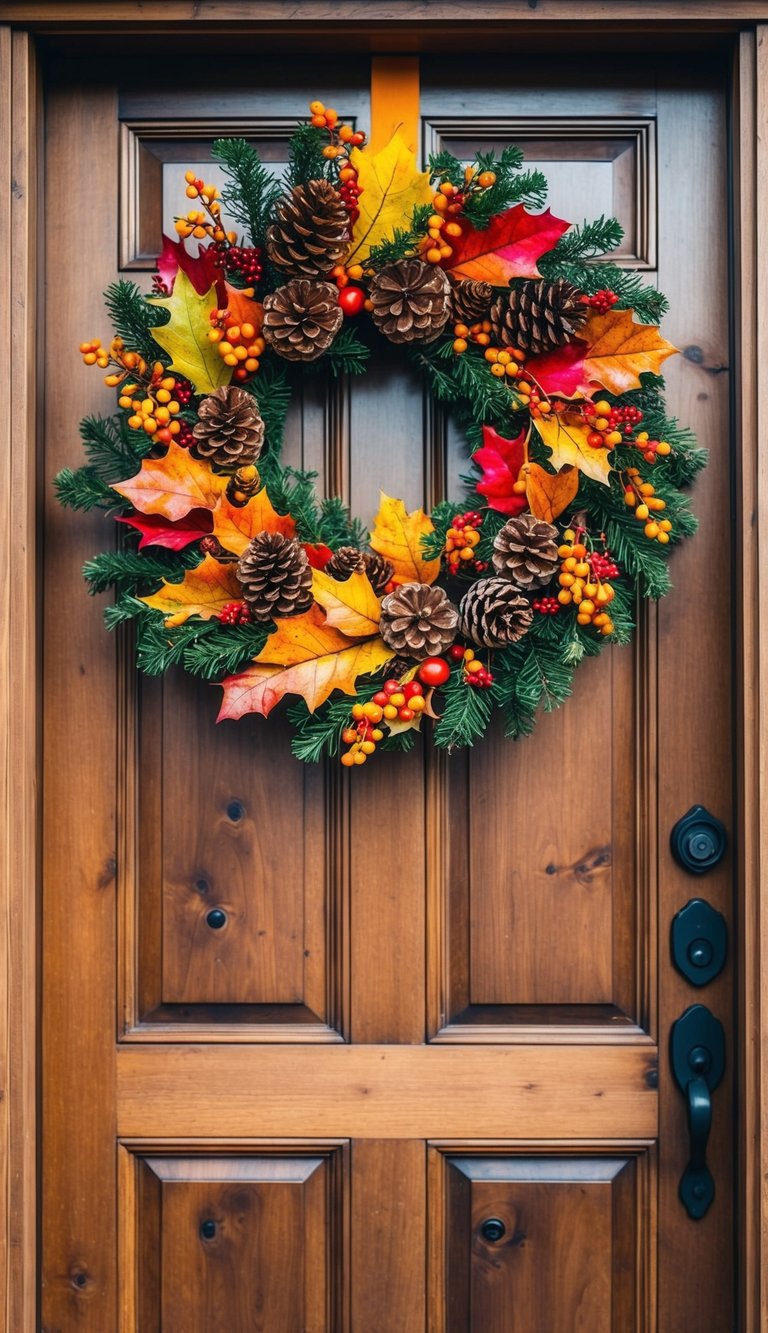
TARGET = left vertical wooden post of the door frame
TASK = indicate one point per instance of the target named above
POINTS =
(19, 678)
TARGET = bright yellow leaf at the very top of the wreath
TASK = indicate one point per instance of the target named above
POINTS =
(391, 189)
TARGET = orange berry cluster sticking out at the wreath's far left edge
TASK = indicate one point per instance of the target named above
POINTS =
(150, 395)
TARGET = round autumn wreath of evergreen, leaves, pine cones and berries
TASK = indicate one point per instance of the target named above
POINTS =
(234, 569)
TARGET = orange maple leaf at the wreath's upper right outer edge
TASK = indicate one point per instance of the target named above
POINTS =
(619, 350)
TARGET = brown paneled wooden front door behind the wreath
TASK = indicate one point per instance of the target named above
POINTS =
(422, 1078)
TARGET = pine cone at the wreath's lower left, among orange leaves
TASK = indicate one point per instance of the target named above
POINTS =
(277, 577)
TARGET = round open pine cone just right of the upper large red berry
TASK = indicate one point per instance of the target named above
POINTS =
(411, 301)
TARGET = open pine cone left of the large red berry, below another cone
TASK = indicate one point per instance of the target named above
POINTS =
(302, 319)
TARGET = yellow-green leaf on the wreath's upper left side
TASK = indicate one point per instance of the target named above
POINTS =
(186, 337)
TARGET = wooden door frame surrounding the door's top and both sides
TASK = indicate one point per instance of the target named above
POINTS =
(401, 25)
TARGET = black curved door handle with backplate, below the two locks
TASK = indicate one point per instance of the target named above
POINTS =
(698, 1050)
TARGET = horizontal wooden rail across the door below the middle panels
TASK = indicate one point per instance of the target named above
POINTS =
(387, 1092)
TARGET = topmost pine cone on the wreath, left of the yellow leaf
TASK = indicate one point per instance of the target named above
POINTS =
(313, 231)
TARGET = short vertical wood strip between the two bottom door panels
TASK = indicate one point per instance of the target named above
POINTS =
(389, 1240)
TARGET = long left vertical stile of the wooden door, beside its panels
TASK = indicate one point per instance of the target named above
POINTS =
(79, 1204)
